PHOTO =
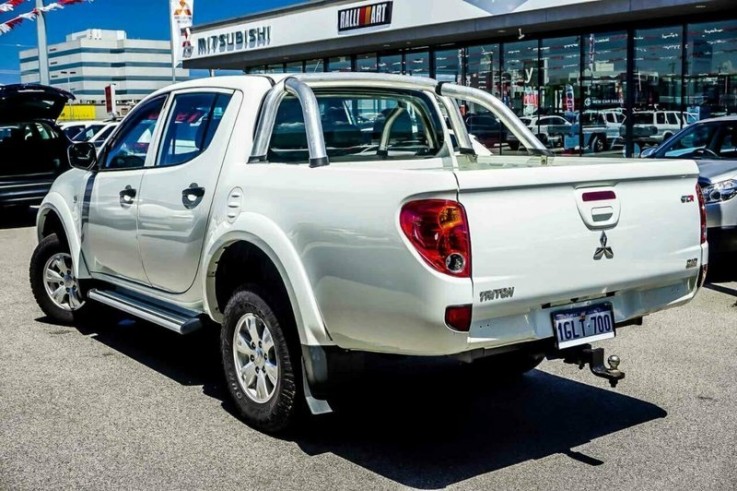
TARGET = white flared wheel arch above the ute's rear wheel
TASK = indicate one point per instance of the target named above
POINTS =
(238, 257)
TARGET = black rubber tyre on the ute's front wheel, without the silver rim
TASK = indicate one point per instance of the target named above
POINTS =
(50, 245)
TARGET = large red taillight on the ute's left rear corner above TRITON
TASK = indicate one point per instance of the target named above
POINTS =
(438, 229)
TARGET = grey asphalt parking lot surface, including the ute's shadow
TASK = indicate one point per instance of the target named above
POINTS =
(119, 404)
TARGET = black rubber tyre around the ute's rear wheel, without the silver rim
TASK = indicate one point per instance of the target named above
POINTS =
(280, 413)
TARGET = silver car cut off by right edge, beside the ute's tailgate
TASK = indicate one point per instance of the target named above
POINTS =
(713, 144)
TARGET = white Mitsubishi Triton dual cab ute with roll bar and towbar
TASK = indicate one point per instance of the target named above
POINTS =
(317, 219)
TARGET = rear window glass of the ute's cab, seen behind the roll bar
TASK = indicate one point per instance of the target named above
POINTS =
(359, 127)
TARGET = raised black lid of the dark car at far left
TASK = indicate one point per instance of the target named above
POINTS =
(25, 102)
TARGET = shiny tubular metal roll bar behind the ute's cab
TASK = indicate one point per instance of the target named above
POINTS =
(299, 86)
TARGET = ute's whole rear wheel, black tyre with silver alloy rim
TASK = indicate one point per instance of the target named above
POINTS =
(261, 370)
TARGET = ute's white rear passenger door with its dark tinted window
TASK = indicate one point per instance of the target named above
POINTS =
(177, 191)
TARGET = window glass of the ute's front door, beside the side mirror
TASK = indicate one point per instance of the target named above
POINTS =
(131, 145)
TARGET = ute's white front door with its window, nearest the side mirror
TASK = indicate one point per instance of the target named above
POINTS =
(110, 235)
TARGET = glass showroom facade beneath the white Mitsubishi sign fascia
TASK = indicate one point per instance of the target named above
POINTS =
(581, 92)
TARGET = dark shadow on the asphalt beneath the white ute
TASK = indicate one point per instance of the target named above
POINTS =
(421, 423)
